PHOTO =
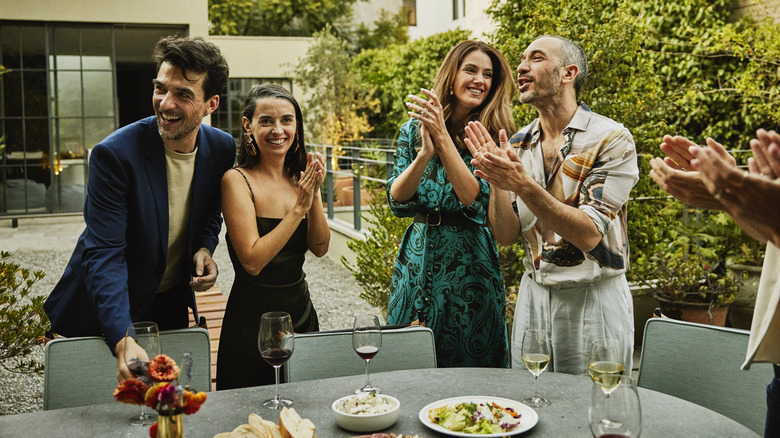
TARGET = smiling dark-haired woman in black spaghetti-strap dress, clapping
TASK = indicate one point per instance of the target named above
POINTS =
(273, 214)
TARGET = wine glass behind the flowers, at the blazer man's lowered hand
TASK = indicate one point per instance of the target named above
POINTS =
(141, 345)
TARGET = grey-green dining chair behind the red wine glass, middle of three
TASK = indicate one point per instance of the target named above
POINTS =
(320, 355)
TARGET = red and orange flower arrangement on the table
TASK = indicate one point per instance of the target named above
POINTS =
(158, 388)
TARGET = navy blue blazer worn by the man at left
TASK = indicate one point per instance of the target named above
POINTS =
(120, 258)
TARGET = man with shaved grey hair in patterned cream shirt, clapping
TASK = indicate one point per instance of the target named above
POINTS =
(565, 189)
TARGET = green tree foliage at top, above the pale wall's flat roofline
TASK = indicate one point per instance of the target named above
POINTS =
(276, 17)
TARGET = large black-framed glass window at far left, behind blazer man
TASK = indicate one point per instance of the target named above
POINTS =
(59, 88)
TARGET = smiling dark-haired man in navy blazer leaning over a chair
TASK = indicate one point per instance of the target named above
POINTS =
(152, 210)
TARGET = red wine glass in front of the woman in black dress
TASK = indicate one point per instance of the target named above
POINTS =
(276, 341)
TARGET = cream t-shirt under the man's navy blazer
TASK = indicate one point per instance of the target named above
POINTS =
(181, 168)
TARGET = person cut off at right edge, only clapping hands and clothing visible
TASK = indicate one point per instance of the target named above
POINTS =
(709, 178)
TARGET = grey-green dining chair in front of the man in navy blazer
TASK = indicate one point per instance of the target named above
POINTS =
(82, 370)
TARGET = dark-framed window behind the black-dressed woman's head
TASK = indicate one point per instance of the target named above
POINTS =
(227, 117)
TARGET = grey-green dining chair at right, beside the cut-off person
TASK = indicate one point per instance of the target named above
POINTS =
(701, 363)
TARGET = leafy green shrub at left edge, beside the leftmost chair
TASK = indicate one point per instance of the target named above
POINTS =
(22, 319)
